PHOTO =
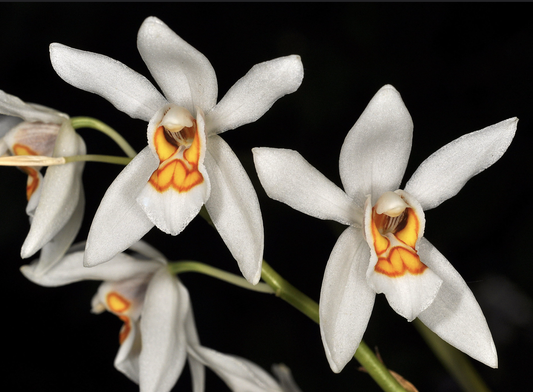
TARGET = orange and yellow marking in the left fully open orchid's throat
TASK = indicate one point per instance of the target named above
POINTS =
(178, 173)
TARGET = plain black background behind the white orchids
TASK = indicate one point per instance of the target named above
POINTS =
(459, 68)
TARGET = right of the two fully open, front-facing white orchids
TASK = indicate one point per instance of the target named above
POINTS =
(383, 249)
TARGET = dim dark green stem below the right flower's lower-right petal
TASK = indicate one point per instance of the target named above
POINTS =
(455, 362)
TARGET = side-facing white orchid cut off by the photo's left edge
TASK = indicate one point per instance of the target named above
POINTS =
(56, 201)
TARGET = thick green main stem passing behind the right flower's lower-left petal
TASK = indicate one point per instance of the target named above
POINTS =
(307, 306)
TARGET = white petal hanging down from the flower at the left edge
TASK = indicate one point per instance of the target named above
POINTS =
(60, 193)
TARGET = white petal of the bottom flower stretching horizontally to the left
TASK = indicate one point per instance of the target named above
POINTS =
(70, 269)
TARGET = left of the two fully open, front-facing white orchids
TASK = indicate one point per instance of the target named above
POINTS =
(186, 163)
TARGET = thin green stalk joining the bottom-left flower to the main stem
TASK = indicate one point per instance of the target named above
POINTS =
(179, 267)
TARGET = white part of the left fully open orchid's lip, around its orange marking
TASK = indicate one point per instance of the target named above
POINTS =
(172, 210)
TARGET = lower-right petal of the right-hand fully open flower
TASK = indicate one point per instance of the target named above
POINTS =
(455, 314)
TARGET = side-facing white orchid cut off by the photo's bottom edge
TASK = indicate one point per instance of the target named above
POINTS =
(159, 333)
